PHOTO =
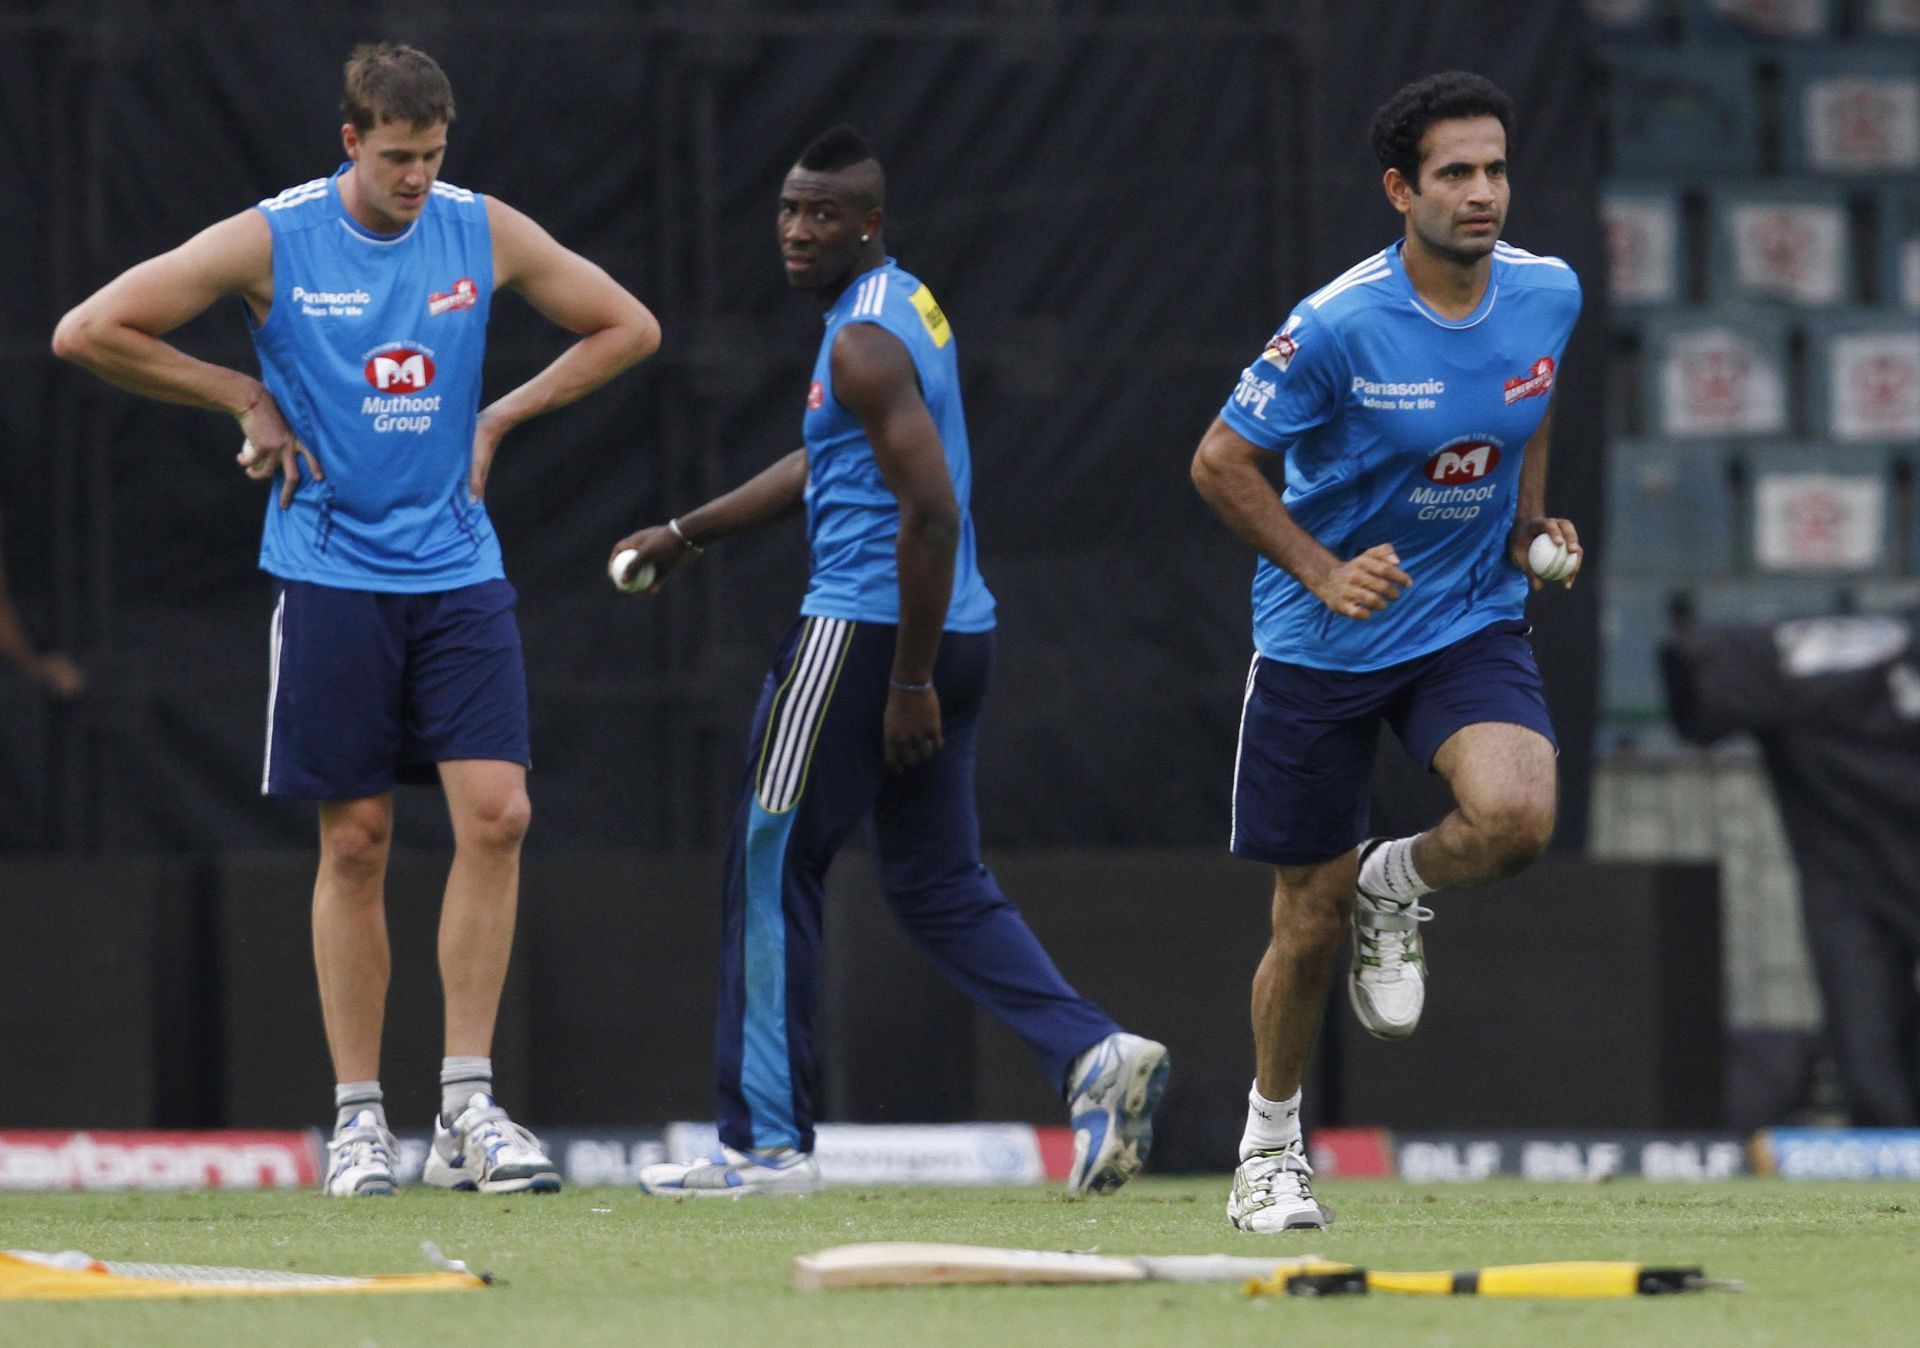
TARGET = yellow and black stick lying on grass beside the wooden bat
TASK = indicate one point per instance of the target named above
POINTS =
(1570, 1280)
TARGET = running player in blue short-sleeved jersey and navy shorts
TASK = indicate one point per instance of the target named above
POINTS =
(1410, 400)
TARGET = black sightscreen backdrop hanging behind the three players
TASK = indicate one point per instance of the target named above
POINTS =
(1115, 203)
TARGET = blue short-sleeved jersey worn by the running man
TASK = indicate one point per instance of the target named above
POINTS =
(1403, 427)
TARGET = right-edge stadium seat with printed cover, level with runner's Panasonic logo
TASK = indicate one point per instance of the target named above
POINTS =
(1863, 377)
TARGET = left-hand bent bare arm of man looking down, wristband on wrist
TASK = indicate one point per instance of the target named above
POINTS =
(116, 333)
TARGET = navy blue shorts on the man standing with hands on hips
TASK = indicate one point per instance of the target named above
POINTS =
(375, 688)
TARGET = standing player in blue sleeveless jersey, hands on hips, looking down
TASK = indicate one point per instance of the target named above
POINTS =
(396, 654)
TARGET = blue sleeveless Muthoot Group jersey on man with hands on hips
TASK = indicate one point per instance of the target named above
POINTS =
(373, 350)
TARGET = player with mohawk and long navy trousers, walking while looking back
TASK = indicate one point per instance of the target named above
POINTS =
(871, 713)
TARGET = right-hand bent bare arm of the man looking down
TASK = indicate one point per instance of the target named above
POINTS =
(615, 329)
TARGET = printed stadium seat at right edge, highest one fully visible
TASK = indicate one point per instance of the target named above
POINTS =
(1852, 110)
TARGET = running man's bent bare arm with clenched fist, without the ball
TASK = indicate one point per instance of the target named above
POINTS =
(1228, 477)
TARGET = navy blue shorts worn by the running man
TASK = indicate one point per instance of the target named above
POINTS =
(1303, 779)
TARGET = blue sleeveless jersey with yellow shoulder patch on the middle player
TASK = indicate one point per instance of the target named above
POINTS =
(852, 518)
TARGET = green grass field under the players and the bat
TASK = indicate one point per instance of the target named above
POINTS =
(1825, 1264)
